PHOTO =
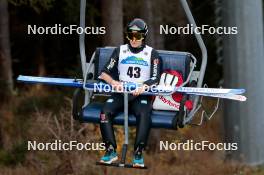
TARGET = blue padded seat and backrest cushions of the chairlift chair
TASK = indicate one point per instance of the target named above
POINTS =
(180, 61)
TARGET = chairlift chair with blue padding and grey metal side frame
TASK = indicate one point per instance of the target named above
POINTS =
(184, 62)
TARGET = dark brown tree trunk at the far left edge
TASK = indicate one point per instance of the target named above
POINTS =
(6, 81)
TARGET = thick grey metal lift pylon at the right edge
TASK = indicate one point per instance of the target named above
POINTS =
(243, 67)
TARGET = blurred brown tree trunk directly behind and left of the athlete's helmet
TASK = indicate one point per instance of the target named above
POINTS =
(112, 14)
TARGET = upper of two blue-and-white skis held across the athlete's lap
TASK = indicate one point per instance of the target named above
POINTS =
(102, 87)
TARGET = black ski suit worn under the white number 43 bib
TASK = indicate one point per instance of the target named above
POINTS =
(140, 106)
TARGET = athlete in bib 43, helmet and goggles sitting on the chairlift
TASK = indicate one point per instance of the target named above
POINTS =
(133, 62)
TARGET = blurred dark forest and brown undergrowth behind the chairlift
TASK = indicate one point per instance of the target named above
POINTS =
(44, 113)
